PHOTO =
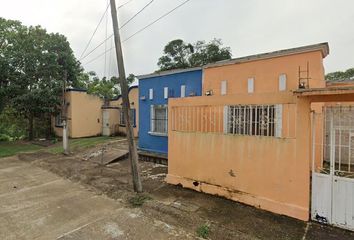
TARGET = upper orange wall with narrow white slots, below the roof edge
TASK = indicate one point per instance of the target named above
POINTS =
(266, 73)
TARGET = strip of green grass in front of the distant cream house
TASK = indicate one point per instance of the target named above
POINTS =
(13, 148)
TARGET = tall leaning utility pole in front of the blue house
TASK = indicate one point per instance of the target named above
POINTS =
(133, 154)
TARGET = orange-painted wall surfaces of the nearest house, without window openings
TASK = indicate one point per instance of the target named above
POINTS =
(267, 172)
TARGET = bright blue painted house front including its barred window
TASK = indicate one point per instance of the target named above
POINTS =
(154, 91)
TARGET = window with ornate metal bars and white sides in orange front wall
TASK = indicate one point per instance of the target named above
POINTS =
(253, 120)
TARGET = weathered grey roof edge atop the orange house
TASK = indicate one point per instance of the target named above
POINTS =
(323, 47)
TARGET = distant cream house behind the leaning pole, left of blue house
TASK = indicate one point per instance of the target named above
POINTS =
(90, 115)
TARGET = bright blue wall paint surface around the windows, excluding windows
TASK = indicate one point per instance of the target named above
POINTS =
(193, 82)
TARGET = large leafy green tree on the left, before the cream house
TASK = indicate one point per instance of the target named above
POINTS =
(34, 63)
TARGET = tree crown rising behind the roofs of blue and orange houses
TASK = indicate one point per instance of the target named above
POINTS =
(178, 54)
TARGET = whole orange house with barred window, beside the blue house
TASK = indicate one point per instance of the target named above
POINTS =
(249, 138)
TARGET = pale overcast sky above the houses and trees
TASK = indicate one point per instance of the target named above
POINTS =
(247, 26)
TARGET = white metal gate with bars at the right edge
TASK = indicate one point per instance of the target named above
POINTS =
(333, 167)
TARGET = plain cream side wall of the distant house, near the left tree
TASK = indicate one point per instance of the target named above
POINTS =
(84, 113)
